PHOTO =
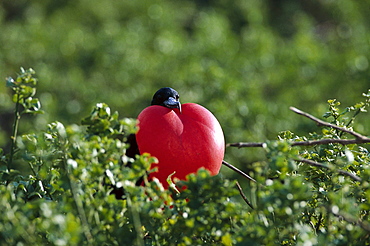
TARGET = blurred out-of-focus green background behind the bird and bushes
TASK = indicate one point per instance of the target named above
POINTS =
(246, 61)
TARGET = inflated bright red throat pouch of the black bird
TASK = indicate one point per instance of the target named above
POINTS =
(182, 141)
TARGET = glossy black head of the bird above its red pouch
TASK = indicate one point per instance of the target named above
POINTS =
(167, 97)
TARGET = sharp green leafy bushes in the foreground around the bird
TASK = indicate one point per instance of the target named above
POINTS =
(67, 199)
